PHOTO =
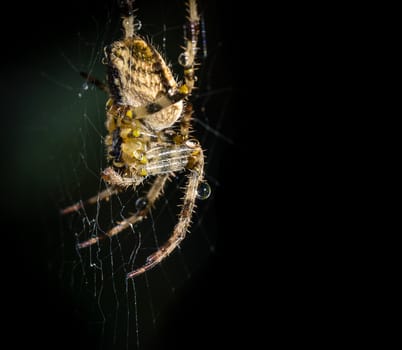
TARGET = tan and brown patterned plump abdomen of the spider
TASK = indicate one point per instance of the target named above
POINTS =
(139, 77)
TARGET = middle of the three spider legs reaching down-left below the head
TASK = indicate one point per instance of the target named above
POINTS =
(153, 194)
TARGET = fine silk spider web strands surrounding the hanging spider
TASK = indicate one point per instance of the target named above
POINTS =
(124, 313)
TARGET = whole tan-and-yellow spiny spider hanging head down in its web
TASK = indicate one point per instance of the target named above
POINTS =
(148, 120)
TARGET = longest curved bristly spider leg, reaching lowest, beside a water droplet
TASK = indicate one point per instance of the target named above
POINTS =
(195, 177)
